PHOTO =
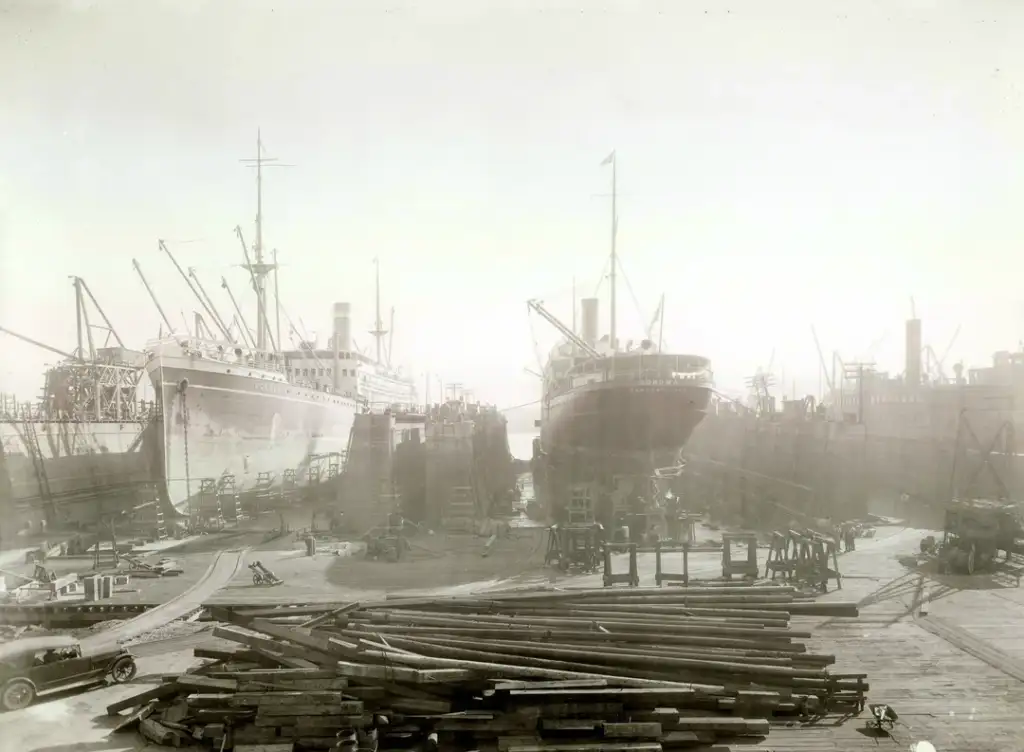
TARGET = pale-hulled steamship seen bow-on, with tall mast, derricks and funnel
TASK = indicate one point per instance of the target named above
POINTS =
(241, 411)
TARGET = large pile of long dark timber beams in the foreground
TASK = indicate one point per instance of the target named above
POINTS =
(636, 671)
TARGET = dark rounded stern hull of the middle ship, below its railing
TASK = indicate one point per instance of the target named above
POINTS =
(624, 417)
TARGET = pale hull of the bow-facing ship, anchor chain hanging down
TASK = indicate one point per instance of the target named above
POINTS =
(224, 422)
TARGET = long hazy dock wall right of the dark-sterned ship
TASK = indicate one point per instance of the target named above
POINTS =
(759, 470)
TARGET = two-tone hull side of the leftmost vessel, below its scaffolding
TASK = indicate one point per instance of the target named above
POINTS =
(87, 469)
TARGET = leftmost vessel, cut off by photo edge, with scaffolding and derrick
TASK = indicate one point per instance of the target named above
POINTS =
(80, 451)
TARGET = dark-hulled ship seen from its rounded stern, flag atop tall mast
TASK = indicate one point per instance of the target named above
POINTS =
(603, 398)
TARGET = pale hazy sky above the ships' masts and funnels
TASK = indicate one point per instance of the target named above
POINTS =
(782, 164)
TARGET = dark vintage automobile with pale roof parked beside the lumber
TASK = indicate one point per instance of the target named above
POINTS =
(37, 665)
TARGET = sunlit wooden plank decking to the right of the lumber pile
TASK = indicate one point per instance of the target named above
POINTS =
(944, 695)
